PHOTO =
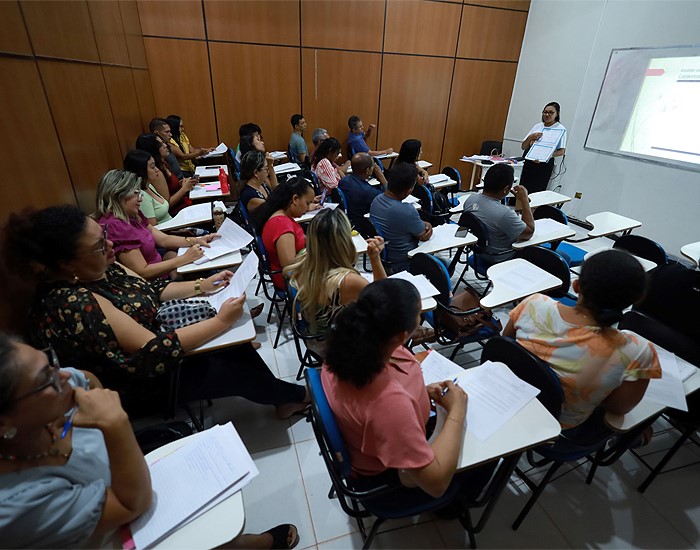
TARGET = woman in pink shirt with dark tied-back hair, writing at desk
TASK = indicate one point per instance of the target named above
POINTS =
(381, 404)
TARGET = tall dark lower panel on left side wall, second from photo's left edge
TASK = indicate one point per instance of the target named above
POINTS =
(84, 122)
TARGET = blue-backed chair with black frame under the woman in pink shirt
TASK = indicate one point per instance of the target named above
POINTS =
(363, 504)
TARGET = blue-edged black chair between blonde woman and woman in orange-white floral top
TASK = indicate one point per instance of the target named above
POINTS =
(436, 272)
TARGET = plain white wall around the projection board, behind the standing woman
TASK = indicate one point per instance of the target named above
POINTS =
(565, 52)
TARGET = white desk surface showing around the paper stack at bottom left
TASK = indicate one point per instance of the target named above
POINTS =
(217, 526)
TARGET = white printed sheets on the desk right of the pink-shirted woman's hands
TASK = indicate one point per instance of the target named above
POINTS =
(495, 396)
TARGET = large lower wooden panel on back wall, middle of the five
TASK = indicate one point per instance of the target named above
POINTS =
(329, 100)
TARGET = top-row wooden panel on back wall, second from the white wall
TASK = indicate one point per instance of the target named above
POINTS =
(417, 26)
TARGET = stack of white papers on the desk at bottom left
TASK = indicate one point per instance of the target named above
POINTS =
(210, 467)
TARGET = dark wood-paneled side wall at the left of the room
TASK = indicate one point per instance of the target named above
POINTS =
(76, 92)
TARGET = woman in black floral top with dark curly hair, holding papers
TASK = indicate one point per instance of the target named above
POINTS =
(100, 317)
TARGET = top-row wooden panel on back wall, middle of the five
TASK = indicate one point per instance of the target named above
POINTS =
(347, 25)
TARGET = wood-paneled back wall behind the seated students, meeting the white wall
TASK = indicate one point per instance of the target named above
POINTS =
(439, 71)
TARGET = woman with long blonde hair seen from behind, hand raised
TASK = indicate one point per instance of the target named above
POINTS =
(325, 276)
